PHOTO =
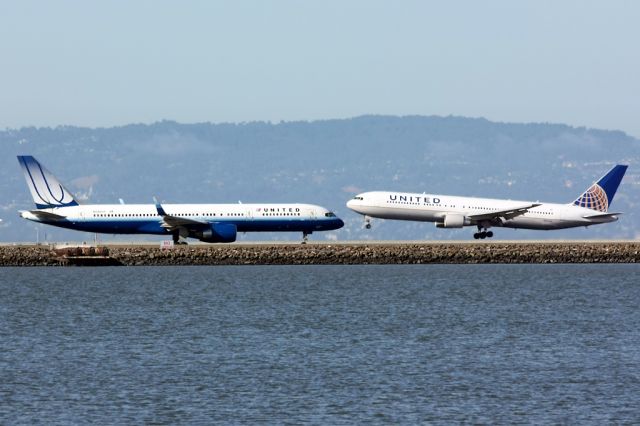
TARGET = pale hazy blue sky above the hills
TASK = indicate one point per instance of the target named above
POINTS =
(117, 62)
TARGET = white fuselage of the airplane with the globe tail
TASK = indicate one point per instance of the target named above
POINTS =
(435, 208)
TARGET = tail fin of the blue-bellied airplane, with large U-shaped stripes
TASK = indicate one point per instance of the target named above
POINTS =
(46, 190)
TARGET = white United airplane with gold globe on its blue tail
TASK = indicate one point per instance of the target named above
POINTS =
(590, 208)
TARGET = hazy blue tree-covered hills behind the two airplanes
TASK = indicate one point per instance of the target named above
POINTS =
(324, 162)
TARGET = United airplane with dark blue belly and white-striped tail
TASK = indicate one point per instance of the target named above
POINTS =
(210, 223)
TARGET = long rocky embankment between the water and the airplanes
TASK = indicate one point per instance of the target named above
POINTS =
(338, 254)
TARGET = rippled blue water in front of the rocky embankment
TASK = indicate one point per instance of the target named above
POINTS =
(320, 344)
